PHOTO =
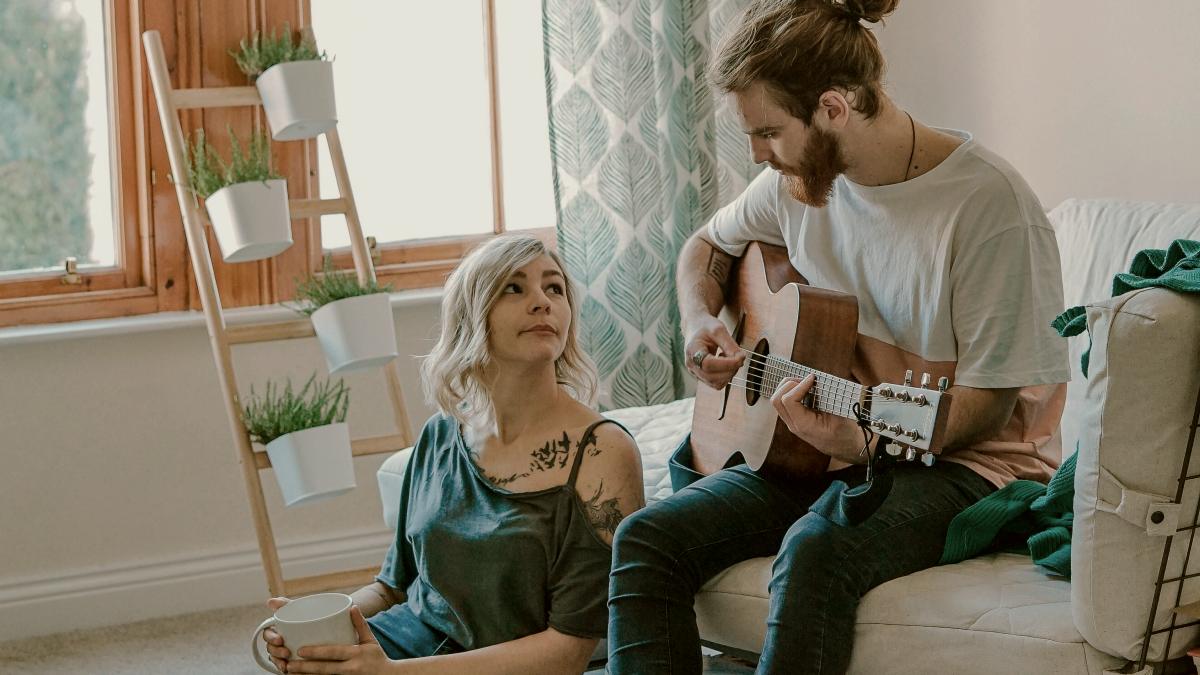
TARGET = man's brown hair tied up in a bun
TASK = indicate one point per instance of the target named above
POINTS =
(802, 49)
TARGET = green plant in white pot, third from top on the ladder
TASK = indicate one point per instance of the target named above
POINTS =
(353, 321)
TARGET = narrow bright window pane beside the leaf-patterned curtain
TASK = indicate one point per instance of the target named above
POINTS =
(525, 136)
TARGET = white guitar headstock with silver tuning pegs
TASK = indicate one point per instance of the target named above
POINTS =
(911, 416)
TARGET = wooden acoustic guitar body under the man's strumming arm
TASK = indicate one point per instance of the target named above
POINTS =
(777, 314)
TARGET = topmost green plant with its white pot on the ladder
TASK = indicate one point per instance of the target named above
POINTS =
(295, 81)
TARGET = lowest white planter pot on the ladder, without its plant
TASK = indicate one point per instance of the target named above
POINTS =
(314, 464)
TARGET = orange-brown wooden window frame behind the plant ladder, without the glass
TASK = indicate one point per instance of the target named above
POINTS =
(154, 273)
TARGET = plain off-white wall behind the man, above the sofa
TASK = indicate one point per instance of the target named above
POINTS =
(1085, 98)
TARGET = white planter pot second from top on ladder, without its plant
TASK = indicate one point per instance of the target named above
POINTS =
(251, 220)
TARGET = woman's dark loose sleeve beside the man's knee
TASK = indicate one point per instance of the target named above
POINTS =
(579, 590)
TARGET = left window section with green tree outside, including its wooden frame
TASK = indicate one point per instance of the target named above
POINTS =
(65, 116)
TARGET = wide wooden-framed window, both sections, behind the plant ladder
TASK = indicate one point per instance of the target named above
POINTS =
(442, 120)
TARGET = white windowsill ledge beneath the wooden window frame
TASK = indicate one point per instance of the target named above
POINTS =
(171, 321)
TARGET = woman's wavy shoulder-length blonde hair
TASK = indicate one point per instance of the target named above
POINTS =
(454, 374)
